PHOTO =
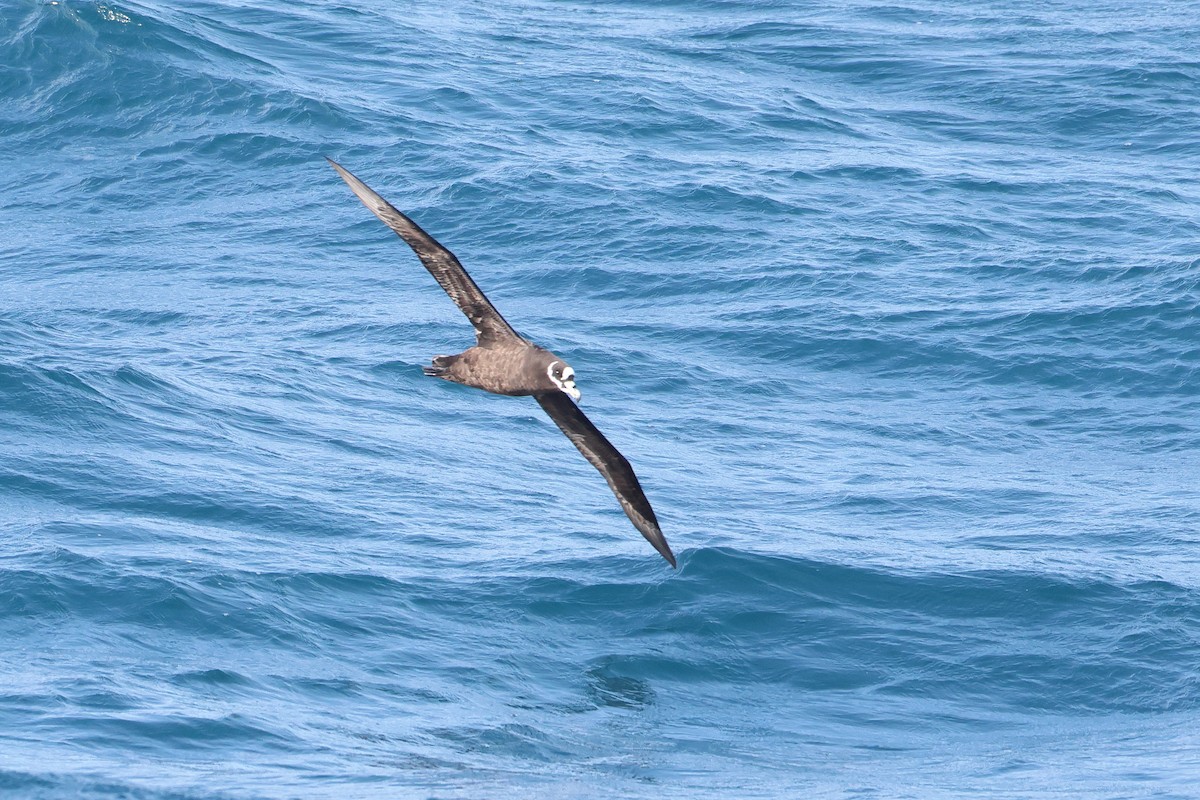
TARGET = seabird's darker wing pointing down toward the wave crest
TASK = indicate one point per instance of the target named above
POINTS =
(601, 453)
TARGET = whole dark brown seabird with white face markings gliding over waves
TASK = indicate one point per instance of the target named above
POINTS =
(506, 363)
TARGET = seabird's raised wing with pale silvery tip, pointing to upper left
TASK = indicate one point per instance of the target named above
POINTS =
(442, 264)
